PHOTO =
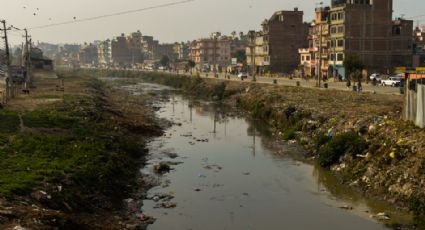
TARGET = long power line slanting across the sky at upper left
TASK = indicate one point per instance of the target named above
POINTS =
(112, 15)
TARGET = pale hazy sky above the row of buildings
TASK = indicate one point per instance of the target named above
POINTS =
(177, 23)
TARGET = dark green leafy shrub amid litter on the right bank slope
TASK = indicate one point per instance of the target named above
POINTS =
(341, 144)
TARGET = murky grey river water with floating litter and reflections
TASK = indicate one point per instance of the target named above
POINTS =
(231, 173)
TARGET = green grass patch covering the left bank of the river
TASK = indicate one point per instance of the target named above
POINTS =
(87, 154)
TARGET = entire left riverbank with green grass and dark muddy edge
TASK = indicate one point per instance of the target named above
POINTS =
(71, 153)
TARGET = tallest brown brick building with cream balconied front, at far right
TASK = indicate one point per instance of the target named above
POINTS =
(366, 29)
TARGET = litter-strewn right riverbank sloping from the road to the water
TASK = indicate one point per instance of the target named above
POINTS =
(361, 138)
